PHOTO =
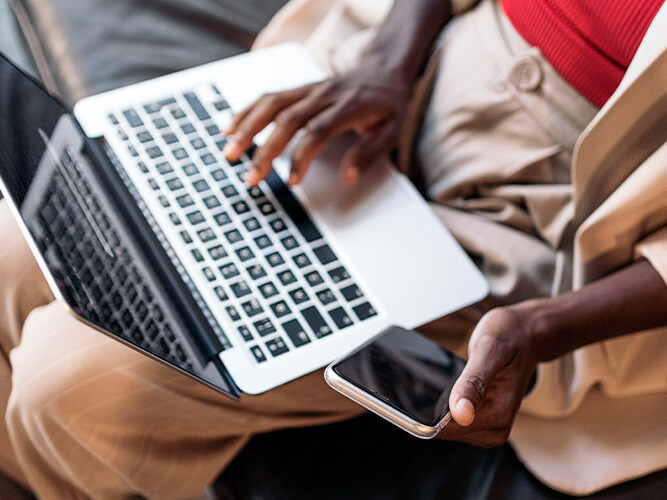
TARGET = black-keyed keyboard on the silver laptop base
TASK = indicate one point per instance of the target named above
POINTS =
(270, 273)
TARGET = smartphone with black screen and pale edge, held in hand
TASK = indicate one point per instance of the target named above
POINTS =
(403, 377)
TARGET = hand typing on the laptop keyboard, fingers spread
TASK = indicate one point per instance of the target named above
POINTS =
(364, 101)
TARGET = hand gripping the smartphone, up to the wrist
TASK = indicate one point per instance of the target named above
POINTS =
(487, 395)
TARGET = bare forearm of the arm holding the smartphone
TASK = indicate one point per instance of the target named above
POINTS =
(630, 300)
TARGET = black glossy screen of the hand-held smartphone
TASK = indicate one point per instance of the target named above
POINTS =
(405, 370)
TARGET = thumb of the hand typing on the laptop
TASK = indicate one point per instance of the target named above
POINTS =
(373, 144)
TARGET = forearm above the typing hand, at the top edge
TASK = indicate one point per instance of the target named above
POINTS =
(405, 39)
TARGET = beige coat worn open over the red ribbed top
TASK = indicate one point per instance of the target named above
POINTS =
(598, 415)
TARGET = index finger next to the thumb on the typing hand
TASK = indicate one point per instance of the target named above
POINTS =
(331, 122)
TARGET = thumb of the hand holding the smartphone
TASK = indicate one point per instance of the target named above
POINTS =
(470, 390)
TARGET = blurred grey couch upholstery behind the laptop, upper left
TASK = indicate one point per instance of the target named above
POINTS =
(86, 47)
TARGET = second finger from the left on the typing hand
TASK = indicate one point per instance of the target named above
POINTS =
(287, 123)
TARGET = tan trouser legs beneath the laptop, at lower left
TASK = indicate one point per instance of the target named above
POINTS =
(85, 406)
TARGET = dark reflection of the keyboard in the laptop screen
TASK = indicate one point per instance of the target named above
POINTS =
(98, 271)
